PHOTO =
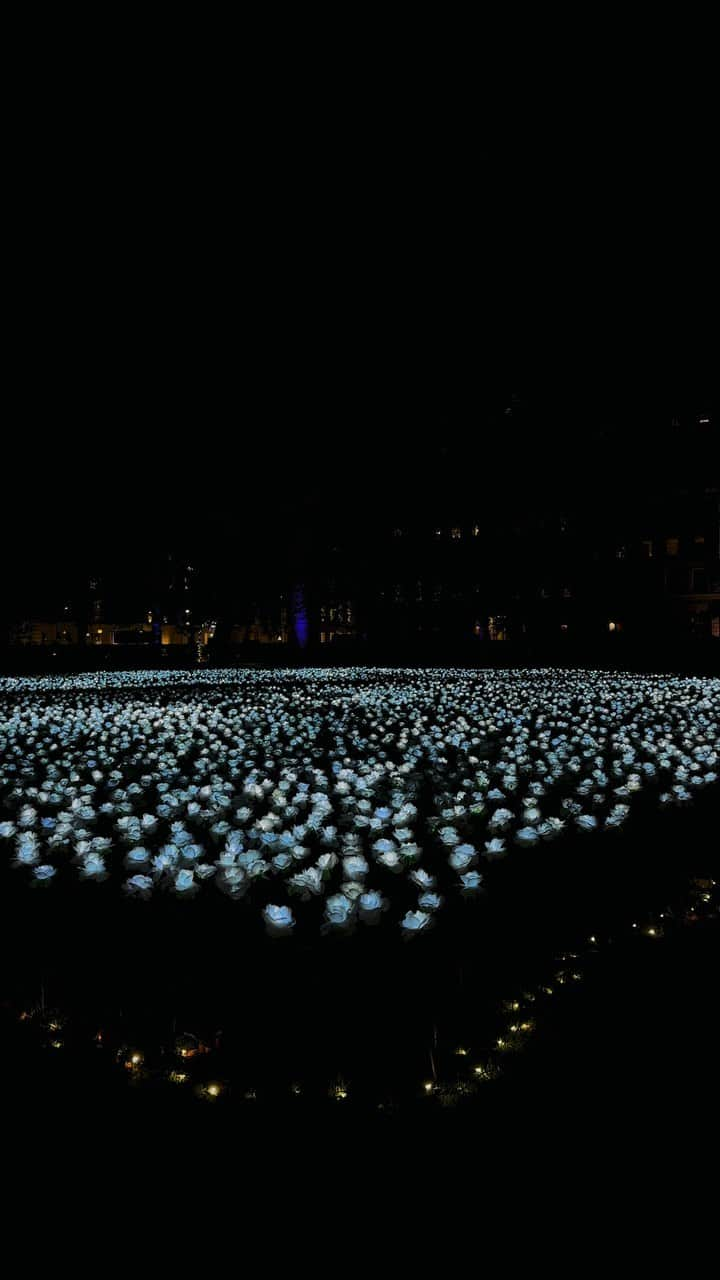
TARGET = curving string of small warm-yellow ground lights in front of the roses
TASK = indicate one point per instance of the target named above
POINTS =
(476, 1067)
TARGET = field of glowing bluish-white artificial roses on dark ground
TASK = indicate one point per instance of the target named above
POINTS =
(364, 792)
